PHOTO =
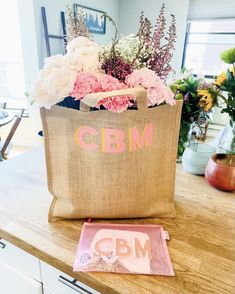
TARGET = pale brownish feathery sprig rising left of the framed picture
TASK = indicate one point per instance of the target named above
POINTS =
(76, 25)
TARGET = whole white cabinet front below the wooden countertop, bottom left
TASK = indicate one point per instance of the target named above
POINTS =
(22, 273)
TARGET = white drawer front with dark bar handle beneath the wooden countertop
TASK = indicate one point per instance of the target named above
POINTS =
(61, 283)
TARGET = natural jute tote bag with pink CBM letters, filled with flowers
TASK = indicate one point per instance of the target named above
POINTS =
(106, 165)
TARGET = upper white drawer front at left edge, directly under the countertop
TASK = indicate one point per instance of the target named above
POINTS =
(20, 260)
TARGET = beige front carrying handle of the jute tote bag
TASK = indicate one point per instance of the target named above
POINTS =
(91, 100)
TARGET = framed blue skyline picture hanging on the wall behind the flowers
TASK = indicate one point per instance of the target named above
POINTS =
(95, 22)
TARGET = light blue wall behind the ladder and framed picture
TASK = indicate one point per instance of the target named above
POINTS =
(53, 9)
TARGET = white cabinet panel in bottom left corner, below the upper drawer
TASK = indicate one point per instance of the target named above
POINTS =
(12, 281)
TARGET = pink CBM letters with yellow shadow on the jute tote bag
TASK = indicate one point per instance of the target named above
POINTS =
(114, 140)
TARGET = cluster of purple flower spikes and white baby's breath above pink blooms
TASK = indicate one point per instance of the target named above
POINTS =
(143, 49)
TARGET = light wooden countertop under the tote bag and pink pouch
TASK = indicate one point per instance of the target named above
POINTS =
(202, 245)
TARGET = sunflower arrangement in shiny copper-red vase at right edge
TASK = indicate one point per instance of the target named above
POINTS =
(220, 171)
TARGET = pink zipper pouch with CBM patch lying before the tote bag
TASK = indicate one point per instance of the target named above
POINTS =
(123, 248)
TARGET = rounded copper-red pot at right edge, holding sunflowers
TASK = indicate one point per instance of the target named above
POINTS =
(220, 172)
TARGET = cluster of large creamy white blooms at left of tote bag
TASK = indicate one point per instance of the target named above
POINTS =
(56, 79)
